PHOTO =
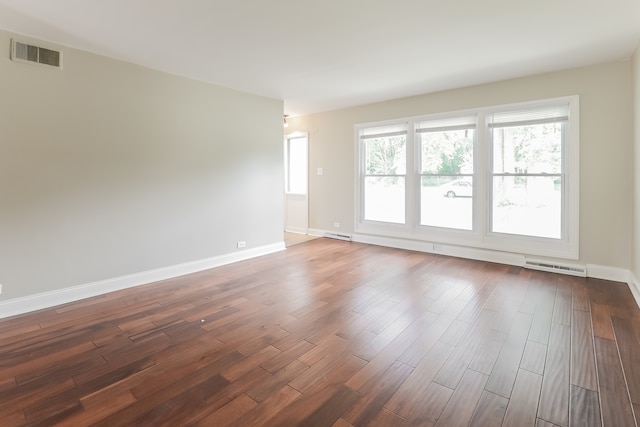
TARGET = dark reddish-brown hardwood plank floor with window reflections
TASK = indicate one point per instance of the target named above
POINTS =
(332, 333)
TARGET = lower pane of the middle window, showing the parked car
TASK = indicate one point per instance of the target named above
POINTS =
(447, 202)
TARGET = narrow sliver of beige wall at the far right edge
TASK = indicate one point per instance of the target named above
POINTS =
(635, 263)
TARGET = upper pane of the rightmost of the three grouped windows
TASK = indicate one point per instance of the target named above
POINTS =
(528, 149)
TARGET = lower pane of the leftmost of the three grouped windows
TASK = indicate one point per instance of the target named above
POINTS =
(384, 199)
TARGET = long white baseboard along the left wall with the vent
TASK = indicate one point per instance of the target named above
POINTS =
(30, 303)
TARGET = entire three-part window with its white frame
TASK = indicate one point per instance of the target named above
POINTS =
(503, 178)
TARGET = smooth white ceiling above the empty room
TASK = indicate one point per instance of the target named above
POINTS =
(326, 54)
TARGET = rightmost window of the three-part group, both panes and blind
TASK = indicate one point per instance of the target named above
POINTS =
(527, 178)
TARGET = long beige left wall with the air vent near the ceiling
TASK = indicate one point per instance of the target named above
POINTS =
(109, 169)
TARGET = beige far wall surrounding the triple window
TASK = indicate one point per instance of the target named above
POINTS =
(605, 151)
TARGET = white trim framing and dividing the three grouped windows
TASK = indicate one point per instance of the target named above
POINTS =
(480, 237)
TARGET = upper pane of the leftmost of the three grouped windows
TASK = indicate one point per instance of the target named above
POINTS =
(386, 155)
